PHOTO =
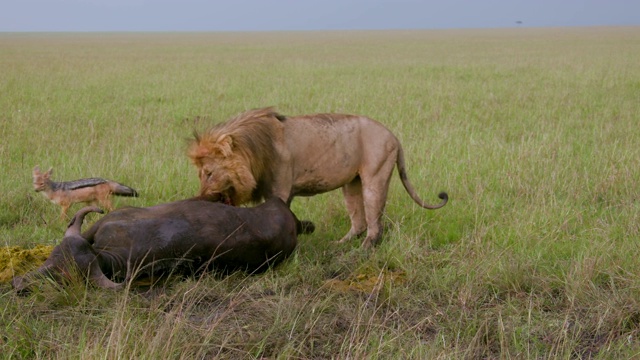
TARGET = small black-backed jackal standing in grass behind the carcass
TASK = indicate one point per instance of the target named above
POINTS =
(90, 190)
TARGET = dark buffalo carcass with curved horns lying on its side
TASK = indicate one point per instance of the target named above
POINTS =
(180, 237)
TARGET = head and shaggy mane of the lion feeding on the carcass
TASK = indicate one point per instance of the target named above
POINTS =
(233, 157)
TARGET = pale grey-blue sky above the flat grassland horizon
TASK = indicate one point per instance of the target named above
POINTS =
(287, 15)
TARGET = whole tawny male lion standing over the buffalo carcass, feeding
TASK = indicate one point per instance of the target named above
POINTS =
(260, 153)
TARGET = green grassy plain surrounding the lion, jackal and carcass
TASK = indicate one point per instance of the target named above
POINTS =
(534, 134)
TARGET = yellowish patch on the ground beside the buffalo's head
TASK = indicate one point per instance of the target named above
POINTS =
(15, 260)
